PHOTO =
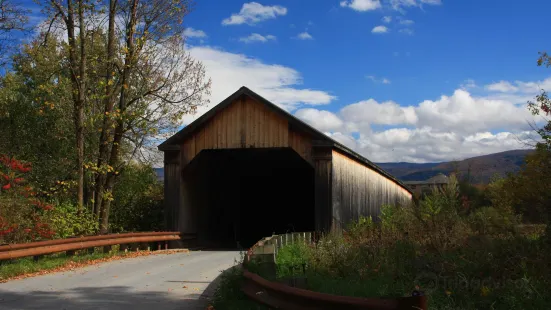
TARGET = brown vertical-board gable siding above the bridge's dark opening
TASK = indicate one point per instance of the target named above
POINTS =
(245, 123)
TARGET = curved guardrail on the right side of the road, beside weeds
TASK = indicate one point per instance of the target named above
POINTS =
(281, 296)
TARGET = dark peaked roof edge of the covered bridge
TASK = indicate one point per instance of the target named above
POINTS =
(173, 143)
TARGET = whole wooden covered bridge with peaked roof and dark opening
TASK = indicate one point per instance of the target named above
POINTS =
(247, 169)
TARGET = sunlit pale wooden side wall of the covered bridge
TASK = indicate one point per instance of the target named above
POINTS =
(358, 190)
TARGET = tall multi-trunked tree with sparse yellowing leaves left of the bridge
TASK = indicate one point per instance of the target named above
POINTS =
(145, 83)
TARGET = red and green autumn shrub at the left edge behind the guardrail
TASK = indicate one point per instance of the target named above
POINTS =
(22, 211)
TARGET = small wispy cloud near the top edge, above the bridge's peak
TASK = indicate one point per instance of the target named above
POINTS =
(254, 12)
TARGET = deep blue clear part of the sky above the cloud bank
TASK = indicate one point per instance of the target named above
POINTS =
(487, 41)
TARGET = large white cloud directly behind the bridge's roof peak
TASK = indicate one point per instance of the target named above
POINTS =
(277, 83)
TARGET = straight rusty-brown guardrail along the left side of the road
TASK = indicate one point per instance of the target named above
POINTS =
(12, 251)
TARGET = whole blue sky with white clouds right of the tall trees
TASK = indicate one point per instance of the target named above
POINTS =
(394, 80)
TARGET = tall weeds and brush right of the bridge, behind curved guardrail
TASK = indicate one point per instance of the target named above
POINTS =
(460, 258)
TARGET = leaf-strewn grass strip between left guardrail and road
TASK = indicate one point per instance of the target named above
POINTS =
(23, 266)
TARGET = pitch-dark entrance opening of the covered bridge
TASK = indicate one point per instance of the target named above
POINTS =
(243, 195)
